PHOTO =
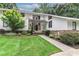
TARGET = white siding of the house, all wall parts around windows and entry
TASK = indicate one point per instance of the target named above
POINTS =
(57, 23)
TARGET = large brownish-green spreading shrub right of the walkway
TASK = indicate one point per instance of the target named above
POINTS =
(70, 38)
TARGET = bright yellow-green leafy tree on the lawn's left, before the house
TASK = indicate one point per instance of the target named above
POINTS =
(13, 19)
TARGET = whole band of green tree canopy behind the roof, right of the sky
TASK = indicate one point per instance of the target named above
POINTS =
(67, 9)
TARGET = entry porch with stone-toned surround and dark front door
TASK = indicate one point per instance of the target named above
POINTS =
(38, 26)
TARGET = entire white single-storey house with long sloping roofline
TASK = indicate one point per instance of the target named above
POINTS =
(41, 22)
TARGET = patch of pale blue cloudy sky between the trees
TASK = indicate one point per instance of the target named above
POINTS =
(27, 6)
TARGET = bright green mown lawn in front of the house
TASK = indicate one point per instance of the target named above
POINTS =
(25, 46)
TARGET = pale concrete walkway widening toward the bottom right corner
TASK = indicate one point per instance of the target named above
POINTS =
(66, 50)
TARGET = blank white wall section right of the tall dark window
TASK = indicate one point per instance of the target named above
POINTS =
(58, 24)
